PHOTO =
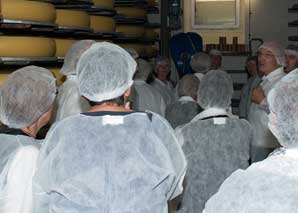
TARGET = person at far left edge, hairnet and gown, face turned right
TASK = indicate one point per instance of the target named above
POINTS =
(26, 100)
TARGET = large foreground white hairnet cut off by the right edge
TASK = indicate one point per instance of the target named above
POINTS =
(283, 104)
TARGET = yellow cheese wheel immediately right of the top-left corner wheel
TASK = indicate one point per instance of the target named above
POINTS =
(72, 18)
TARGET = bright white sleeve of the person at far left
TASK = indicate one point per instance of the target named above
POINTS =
(18, 188)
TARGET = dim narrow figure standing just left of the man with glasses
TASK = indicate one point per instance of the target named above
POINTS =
(251, 66)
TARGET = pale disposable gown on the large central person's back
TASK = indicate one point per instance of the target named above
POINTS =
(112, 163)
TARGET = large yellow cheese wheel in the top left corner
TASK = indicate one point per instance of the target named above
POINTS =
(28, 11)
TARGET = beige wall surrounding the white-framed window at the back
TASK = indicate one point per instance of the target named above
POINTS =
(212, 36)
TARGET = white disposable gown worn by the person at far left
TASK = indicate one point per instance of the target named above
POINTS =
(17, 166)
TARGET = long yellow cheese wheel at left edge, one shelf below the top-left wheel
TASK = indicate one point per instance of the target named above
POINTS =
(25, 46)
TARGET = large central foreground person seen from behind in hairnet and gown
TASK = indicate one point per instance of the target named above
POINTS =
(109, 159)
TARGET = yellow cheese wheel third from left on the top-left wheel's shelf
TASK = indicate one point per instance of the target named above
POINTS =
(102, 24)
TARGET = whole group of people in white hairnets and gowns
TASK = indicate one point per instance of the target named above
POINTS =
(125, 138)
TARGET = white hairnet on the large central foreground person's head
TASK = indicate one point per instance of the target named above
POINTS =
(105, 71)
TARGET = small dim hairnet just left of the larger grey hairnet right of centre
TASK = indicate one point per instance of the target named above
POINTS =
(188, 86)
